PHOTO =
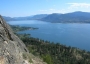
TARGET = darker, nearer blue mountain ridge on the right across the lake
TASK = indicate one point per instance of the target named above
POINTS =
(74, 17)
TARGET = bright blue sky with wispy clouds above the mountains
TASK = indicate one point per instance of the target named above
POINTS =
(20, 8)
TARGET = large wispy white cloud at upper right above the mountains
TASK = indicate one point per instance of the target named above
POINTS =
(78, 5)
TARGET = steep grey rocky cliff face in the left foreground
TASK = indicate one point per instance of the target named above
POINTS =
(12, 49)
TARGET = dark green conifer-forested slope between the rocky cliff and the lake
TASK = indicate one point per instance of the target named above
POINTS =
(55, 53)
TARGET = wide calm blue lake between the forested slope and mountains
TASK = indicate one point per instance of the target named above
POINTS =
(69, 34)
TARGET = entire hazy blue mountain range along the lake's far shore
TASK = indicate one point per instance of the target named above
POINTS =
(74, 17)
